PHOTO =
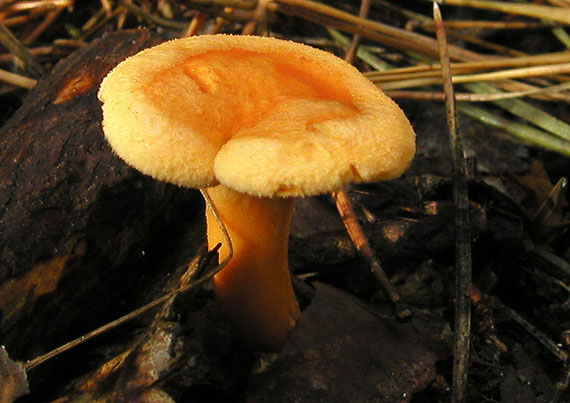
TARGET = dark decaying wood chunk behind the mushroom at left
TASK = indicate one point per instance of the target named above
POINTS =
(75, 222)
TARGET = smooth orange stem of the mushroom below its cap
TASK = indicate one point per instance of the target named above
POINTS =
(255, 287)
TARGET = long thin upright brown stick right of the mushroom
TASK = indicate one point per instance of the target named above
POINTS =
(462, 225)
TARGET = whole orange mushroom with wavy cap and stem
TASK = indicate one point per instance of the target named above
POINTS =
(256, 122)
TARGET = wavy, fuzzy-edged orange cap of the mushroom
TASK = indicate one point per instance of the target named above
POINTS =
(260, 115)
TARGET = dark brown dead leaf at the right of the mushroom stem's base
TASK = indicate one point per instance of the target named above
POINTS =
(343, 351)
